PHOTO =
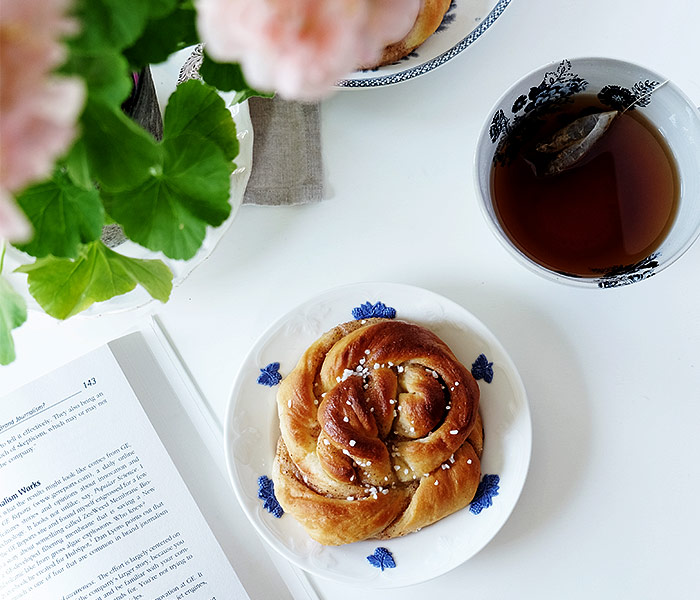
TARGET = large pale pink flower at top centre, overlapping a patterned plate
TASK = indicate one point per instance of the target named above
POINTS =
(300, 48)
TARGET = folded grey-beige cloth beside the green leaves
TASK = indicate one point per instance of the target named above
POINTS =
(287, 164)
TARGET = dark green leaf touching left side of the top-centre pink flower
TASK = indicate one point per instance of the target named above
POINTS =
(162, 37)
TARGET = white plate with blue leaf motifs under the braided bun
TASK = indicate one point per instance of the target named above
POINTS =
(252, 430)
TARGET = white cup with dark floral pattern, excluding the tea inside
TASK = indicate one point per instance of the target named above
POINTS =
(663, 104)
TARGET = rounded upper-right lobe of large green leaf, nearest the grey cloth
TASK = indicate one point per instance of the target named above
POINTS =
(197, 108)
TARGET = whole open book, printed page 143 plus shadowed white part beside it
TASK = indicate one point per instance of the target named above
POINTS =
(108, 490)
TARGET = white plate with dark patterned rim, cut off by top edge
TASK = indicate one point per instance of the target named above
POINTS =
(464, 23)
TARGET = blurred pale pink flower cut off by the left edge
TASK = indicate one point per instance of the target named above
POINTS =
(38, 110)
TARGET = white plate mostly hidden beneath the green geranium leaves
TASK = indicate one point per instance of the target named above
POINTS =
(165, 78)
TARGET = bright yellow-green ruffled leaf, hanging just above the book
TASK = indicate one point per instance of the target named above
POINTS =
(65, 287)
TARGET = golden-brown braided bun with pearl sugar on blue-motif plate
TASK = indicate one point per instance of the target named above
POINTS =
(380, 433)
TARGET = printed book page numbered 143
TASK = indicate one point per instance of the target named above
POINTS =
(91, 505)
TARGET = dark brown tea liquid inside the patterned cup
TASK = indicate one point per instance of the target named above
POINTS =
(610, 208)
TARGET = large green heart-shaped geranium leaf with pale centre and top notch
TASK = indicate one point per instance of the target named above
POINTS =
(164, 195)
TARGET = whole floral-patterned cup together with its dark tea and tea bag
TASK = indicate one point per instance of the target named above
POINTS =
(588, 172)
